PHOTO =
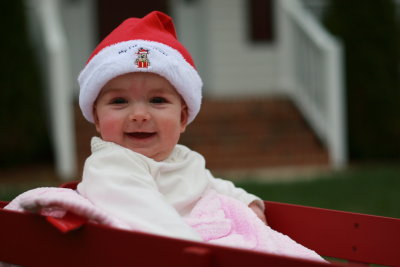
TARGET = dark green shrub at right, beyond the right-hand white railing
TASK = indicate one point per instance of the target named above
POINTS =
(369, 31)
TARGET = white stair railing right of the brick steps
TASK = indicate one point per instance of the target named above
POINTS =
(313, 70)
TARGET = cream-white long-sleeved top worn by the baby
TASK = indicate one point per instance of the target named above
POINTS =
(151, 195)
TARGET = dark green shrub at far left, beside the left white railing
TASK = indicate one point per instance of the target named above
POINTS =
(23, 137)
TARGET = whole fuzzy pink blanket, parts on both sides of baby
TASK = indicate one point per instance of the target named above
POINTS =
(218, 219)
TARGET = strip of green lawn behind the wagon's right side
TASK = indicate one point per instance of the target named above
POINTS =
(371, 190)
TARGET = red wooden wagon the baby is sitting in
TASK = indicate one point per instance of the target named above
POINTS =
(29, 240)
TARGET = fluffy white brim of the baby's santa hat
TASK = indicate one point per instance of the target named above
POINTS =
(119, 59)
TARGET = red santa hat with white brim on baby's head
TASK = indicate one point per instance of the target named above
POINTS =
(148, 44)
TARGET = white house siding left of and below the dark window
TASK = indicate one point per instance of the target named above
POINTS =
(231, 64)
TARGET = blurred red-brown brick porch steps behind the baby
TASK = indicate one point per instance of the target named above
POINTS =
(233, 134)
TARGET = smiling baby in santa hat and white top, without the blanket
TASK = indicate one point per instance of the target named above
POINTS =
(141, 89)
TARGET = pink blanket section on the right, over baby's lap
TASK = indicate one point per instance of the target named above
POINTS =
(226, 221)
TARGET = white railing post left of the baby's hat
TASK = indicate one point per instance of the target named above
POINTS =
(46, 16)
